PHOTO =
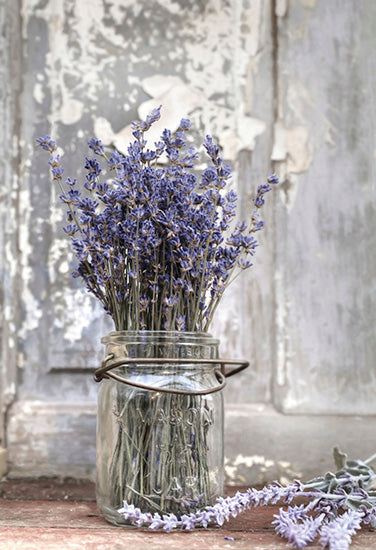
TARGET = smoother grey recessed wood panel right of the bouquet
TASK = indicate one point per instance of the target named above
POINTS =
(325, 265)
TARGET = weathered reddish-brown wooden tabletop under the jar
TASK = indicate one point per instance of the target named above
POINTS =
(39, 515)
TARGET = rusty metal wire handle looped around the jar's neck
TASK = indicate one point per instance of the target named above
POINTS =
(104, 372)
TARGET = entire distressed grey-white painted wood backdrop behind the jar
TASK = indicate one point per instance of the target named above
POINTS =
(284, 85)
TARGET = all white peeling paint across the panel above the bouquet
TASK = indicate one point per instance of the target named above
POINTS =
(237, 32)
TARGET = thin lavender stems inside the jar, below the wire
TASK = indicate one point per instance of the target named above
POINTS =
(160, 457)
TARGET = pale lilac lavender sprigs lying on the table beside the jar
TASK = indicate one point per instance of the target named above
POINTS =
(338, 505)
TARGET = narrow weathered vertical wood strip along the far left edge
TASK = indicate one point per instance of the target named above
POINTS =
(10, 88)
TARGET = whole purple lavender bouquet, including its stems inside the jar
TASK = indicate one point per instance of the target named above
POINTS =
(158, 246)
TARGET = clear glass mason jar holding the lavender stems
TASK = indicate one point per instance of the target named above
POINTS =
(160, 423)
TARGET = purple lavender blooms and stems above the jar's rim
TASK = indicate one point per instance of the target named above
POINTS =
(158, 246)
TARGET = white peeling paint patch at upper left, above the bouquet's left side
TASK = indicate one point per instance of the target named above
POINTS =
(85, 64)
